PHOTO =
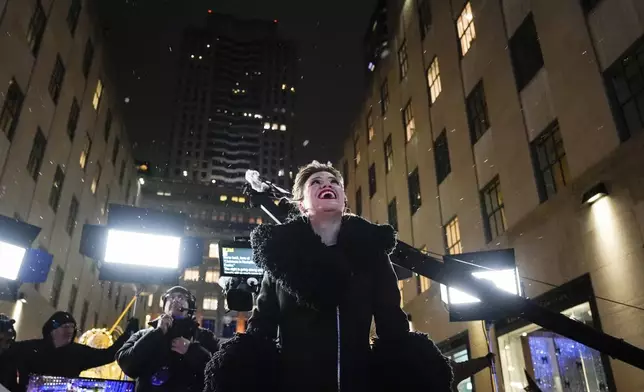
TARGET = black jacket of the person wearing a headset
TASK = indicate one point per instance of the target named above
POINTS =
(148, 351)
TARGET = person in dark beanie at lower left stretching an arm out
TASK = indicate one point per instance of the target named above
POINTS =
(56, 354)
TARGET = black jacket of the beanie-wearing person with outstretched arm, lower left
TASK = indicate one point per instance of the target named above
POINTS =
(39, 356)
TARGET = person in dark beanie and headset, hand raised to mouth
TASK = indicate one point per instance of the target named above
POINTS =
(172, 354)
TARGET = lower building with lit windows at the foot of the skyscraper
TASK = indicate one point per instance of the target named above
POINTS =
(215, 215)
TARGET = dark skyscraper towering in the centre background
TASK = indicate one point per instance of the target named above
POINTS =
(235, 103)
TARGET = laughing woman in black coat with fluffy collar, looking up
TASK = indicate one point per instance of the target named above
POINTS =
(327, 274)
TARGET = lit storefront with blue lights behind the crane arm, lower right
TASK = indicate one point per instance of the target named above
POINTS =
(554, 362)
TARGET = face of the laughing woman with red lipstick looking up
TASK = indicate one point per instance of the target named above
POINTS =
(323, 193)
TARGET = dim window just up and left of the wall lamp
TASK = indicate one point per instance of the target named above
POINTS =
(550, 159)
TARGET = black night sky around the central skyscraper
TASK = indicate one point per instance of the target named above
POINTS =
(143, 39)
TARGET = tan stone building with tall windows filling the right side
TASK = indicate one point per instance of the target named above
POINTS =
(497, 124)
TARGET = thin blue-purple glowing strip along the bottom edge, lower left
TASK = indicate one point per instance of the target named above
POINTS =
(64, 384)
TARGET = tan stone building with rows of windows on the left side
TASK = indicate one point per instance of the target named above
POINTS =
(64, 154)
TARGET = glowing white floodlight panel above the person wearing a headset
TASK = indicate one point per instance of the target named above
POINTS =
(146, 250)
